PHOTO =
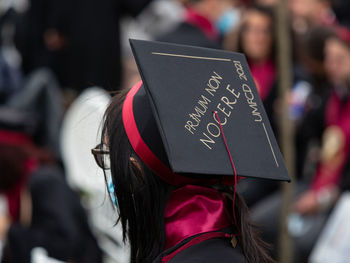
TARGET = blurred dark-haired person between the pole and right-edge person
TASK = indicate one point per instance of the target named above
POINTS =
(308, 98)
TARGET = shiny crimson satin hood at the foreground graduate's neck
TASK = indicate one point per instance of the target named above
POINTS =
(193, 210)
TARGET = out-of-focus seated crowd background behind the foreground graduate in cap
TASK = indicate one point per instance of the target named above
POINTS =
(61, 61)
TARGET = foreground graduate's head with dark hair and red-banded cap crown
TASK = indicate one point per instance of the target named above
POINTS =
(141, 190)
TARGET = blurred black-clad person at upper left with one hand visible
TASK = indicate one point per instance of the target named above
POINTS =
(79, 40)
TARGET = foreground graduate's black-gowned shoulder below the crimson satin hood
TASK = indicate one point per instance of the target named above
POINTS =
(212, 250)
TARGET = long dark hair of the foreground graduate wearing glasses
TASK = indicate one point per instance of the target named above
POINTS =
(142, 197)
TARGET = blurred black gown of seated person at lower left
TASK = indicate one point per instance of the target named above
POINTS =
(59, 223)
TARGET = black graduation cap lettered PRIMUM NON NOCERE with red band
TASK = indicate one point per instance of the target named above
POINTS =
(173, 117)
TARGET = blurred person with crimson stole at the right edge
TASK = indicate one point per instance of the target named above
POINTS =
(330, 174)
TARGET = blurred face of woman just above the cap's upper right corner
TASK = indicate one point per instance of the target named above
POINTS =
(256, 36)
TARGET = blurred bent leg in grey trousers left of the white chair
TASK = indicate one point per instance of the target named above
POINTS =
(41, 97)
